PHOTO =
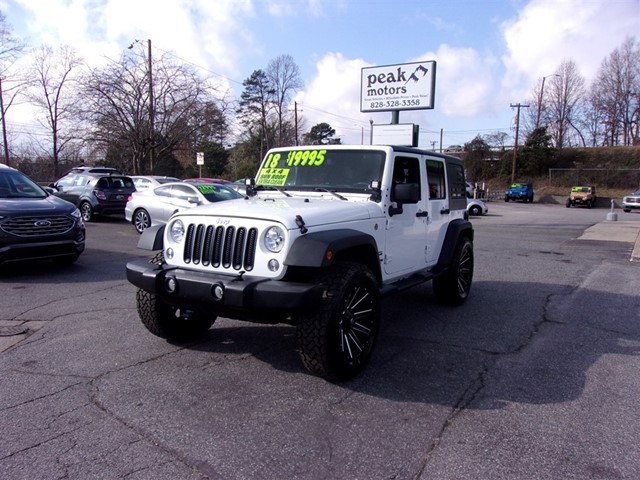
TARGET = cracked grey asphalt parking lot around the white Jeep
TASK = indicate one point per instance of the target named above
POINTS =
(535, 377)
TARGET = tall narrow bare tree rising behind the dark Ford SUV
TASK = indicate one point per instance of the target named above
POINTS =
(54, 93)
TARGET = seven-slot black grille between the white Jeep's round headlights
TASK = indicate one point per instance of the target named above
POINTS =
(226, 247)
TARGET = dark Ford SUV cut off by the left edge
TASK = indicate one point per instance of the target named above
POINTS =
(34, 224)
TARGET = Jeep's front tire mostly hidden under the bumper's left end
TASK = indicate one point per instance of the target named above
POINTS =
(169, 321)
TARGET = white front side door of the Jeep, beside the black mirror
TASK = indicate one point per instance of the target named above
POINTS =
(405, 230)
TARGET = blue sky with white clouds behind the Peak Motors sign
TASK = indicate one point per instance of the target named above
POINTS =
(490, 54)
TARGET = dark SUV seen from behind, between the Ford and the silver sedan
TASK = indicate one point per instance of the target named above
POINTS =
(95, 193)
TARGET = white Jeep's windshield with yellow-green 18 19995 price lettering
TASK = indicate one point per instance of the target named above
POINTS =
(316, 168)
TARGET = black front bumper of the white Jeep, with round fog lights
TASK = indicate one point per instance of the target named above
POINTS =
(224, 293)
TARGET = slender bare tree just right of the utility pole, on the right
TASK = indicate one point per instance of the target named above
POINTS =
(566, 91)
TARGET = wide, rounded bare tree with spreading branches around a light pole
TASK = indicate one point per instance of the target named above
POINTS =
(117, 99)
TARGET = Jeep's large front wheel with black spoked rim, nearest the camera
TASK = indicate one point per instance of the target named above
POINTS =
(336, 341)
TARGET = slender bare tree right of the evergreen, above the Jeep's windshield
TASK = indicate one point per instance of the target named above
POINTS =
(284, 77)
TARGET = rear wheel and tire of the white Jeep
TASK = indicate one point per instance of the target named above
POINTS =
(453, 286)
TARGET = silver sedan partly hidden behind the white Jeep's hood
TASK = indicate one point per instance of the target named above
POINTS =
(155, 206)
